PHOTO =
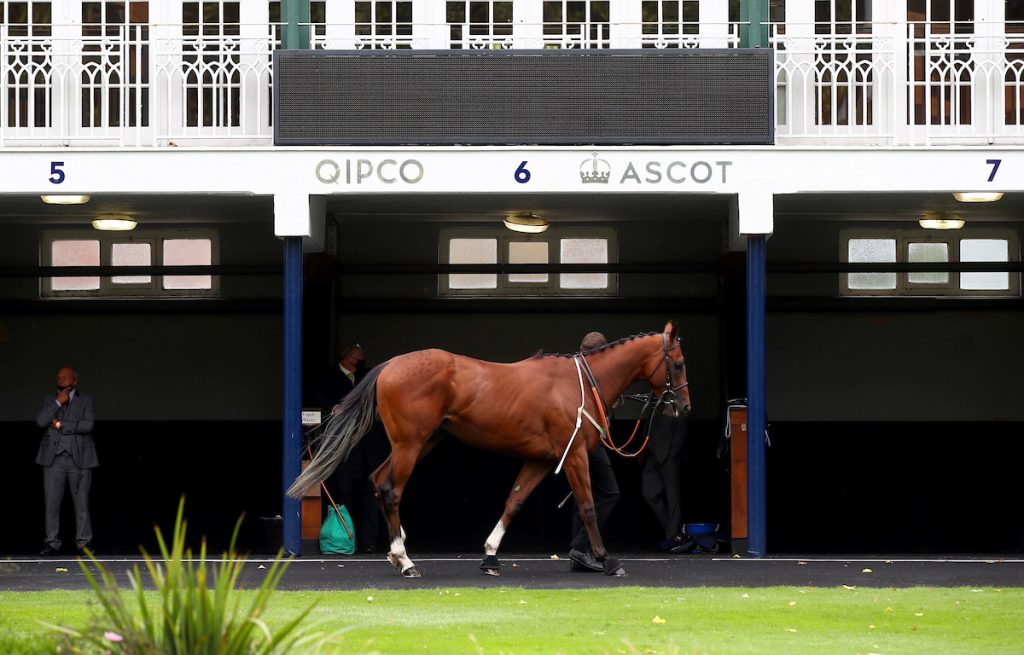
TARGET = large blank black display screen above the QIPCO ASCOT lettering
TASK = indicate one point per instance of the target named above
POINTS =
(424, 98)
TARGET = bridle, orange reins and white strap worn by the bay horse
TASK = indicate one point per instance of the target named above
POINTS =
(668, 398)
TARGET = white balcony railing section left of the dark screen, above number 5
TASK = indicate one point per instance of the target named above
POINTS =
(137, 86)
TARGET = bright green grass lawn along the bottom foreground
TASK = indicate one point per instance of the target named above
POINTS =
(790, 621)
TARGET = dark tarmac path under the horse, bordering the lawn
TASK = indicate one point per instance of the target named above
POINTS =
(552, 572)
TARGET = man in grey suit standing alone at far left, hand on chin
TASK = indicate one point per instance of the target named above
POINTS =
(68, 456)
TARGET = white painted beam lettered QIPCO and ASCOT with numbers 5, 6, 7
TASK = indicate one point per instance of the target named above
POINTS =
(516, 170)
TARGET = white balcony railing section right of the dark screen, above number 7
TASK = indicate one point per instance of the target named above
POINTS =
(900, 84)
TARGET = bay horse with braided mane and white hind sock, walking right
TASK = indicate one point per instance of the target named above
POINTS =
(534, 410)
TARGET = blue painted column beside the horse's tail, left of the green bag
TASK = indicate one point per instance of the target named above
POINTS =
(292, 416)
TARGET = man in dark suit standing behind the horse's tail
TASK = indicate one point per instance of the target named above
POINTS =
(351, 483)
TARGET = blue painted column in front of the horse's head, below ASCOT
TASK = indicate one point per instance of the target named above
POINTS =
(757, 413)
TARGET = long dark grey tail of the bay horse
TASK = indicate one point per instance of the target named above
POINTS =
(342, 433)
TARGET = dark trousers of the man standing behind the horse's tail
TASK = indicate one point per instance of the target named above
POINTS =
(352, 487)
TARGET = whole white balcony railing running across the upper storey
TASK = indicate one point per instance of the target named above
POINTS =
(156, 85)
